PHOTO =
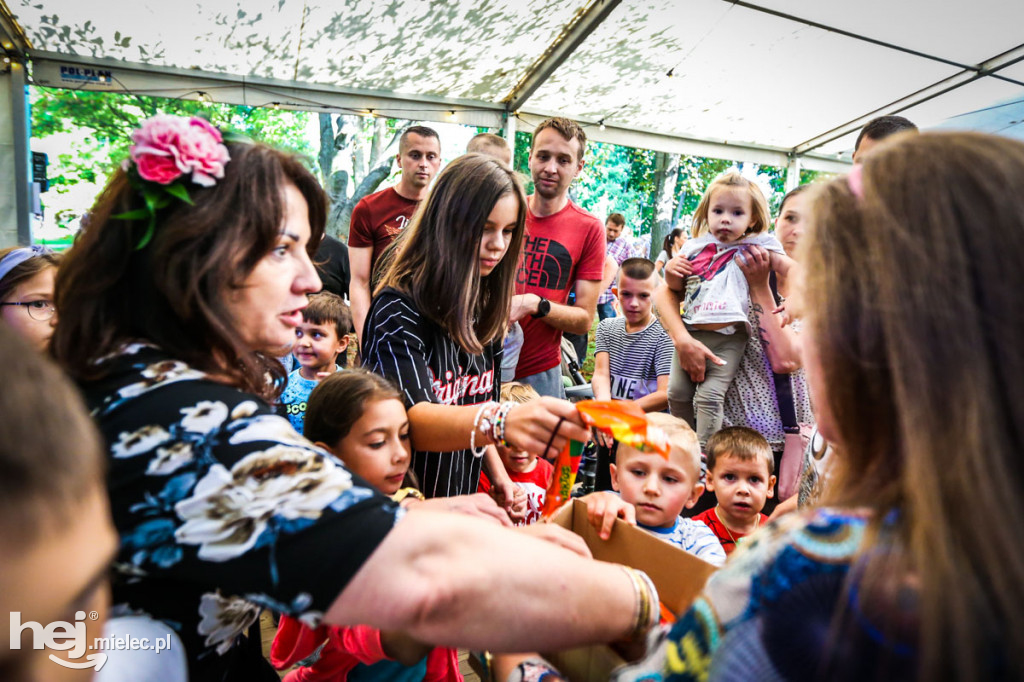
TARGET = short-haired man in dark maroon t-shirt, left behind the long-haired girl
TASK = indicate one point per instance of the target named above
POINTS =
(377, 220)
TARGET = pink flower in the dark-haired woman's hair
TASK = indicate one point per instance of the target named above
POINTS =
(168, 147)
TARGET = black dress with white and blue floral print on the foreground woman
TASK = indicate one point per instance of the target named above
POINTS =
(223, 509)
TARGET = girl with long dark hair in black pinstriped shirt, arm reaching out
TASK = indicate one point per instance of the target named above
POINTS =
(437, 325)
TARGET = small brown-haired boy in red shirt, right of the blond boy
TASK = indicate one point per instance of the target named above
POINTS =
(741, 473)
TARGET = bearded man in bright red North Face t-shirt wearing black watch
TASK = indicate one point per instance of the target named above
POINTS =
(565, 247)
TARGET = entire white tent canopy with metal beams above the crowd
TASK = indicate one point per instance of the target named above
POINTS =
(781, 82)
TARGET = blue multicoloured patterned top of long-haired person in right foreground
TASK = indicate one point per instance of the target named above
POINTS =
(769, 614)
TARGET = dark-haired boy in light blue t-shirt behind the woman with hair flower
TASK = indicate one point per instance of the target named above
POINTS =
(321, 338)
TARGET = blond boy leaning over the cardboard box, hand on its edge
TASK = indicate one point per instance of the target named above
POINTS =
(658, 490)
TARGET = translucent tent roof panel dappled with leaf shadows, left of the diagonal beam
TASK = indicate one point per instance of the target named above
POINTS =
(475, 51)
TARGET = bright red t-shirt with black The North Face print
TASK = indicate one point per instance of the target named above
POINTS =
(560, 250)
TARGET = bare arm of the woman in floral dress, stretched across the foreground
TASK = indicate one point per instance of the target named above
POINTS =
(455, 581)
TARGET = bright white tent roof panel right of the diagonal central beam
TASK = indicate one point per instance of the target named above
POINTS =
(740, 75)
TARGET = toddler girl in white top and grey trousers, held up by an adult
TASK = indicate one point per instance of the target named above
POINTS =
(733, 215)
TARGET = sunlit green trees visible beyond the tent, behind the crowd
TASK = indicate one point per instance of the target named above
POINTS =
(655, 191)
